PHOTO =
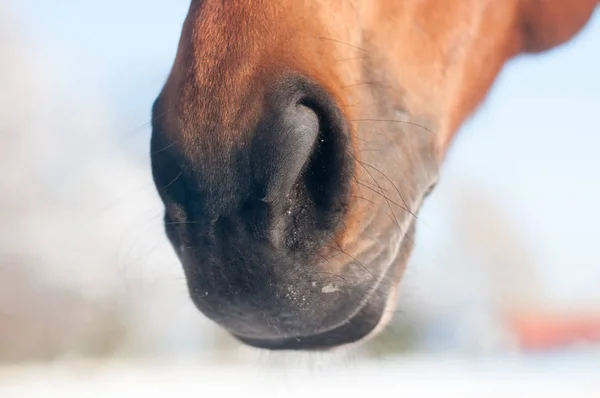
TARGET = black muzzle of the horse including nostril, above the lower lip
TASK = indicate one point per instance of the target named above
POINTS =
(250, 204)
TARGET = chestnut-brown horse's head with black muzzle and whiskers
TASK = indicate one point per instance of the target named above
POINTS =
(294, 142)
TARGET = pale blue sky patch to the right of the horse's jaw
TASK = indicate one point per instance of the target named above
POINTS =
(535, 146)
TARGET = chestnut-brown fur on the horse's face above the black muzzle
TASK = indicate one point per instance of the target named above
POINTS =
(444, 55)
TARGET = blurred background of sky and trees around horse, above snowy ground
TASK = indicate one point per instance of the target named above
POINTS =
(505, 267)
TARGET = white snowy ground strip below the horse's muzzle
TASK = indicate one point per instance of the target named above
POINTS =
(410, 377)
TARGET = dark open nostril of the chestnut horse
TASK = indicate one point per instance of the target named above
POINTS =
(302, 152)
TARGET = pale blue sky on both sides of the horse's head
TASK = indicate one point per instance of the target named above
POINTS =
(533, 145)
